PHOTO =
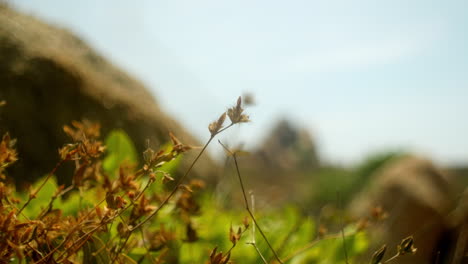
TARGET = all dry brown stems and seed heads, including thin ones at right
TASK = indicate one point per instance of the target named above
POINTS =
(127, 207)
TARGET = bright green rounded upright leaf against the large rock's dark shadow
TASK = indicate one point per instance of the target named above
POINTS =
(119, 149)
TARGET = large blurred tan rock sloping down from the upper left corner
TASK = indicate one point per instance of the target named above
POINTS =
(50, 77)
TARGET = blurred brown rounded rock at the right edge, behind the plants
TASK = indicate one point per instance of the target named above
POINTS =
(417, 198)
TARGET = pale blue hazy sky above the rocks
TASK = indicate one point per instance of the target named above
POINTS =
(362, 76)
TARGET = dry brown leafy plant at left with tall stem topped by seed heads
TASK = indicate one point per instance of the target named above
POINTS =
(126, 203)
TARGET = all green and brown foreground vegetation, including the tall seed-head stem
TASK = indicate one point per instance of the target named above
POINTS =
(117, 212)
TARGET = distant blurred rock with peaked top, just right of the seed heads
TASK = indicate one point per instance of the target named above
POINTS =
(277, 166)
